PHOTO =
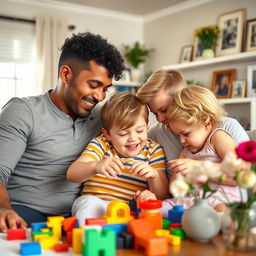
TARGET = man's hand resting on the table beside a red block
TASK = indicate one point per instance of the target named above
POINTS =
(9, 219)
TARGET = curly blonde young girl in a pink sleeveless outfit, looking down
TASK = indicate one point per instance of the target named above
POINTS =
(195, 116)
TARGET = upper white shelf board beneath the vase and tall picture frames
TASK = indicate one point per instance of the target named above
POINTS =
(244, 56)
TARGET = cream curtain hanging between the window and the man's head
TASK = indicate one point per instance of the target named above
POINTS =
(50, 35)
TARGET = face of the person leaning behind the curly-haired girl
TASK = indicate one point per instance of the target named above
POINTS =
(160, 102)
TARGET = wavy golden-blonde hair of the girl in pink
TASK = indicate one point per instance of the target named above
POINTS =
(196, 105)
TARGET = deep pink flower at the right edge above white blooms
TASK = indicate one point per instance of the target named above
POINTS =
(247, 151)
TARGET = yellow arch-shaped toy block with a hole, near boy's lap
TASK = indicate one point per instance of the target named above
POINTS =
(118, 212)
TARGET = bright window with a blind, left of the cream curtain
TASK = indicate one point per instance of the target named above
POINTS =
(17, 60)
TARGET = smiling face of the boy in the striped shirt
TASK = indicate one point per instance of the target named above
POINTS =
(129, 142)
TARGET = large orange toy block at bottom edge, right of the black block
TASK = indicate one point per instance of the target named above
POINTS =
(146, 238)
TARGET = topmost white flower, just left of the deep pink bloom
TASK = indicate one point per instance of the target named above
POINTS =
(230, 164)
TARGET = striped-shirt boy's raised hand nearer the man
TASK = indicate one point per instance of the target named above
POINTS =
(109, 167)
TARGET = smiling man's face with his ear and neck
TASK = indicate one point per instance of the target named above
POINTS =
(80, 93)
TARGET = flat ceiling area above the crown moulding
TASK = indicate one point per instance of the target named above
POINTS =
(135, 7)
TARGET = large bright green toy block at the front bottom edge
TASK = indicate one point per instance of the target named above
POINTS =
(99, 243)
